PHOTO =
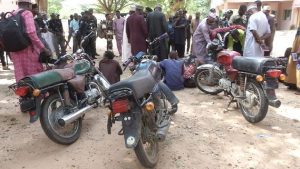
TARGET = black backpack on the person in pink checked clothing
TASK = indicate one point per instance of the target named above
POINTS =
(13, 36)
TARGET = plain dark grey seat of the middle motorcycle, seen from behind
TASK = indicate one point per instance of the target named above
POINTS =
(141, 83)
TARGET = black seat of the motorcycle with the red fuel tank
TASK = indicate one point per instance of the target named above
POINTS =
(256, 65)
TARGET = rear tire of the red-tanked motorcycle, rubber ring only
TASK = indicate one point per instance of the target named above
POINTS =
(262, 100)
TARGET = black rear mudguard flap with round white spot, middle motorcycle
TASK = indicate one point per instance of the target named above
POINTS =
(131, 123)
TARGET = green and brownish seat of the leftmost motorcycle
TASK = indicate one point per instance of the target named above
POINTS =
(50, 77)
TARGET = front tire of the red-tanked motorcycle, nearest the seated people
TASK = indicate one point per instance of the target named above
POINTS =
(203, 87)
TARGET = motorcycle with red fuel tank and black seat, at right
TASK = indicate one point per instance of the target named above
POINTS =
(249, 81)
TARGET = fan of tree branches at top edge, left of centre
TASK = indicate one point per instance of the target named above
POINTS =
(109, 6)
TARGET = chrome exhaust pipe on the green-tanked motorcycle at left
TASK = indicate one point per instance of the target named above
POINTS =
(70, 118)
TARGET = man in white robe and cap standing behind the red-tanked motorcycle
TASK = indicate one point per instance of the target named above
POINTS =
(258, 30)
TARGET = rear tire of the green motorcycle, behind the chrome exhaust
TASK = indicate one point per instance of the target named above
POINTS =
(50, 124)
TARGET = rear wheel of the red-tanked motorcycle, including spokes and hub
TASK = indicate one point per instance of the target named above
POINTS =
(255, 106)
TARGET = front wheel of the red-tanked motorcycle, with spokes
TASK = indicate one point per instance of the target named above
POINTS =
(202, 83)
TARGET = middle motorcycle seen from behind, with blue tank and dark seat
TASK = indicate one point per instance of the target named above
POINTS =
(139, 103)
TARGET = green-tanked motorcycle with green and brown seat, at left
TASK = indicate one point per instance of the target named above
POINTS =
(61, 97)
